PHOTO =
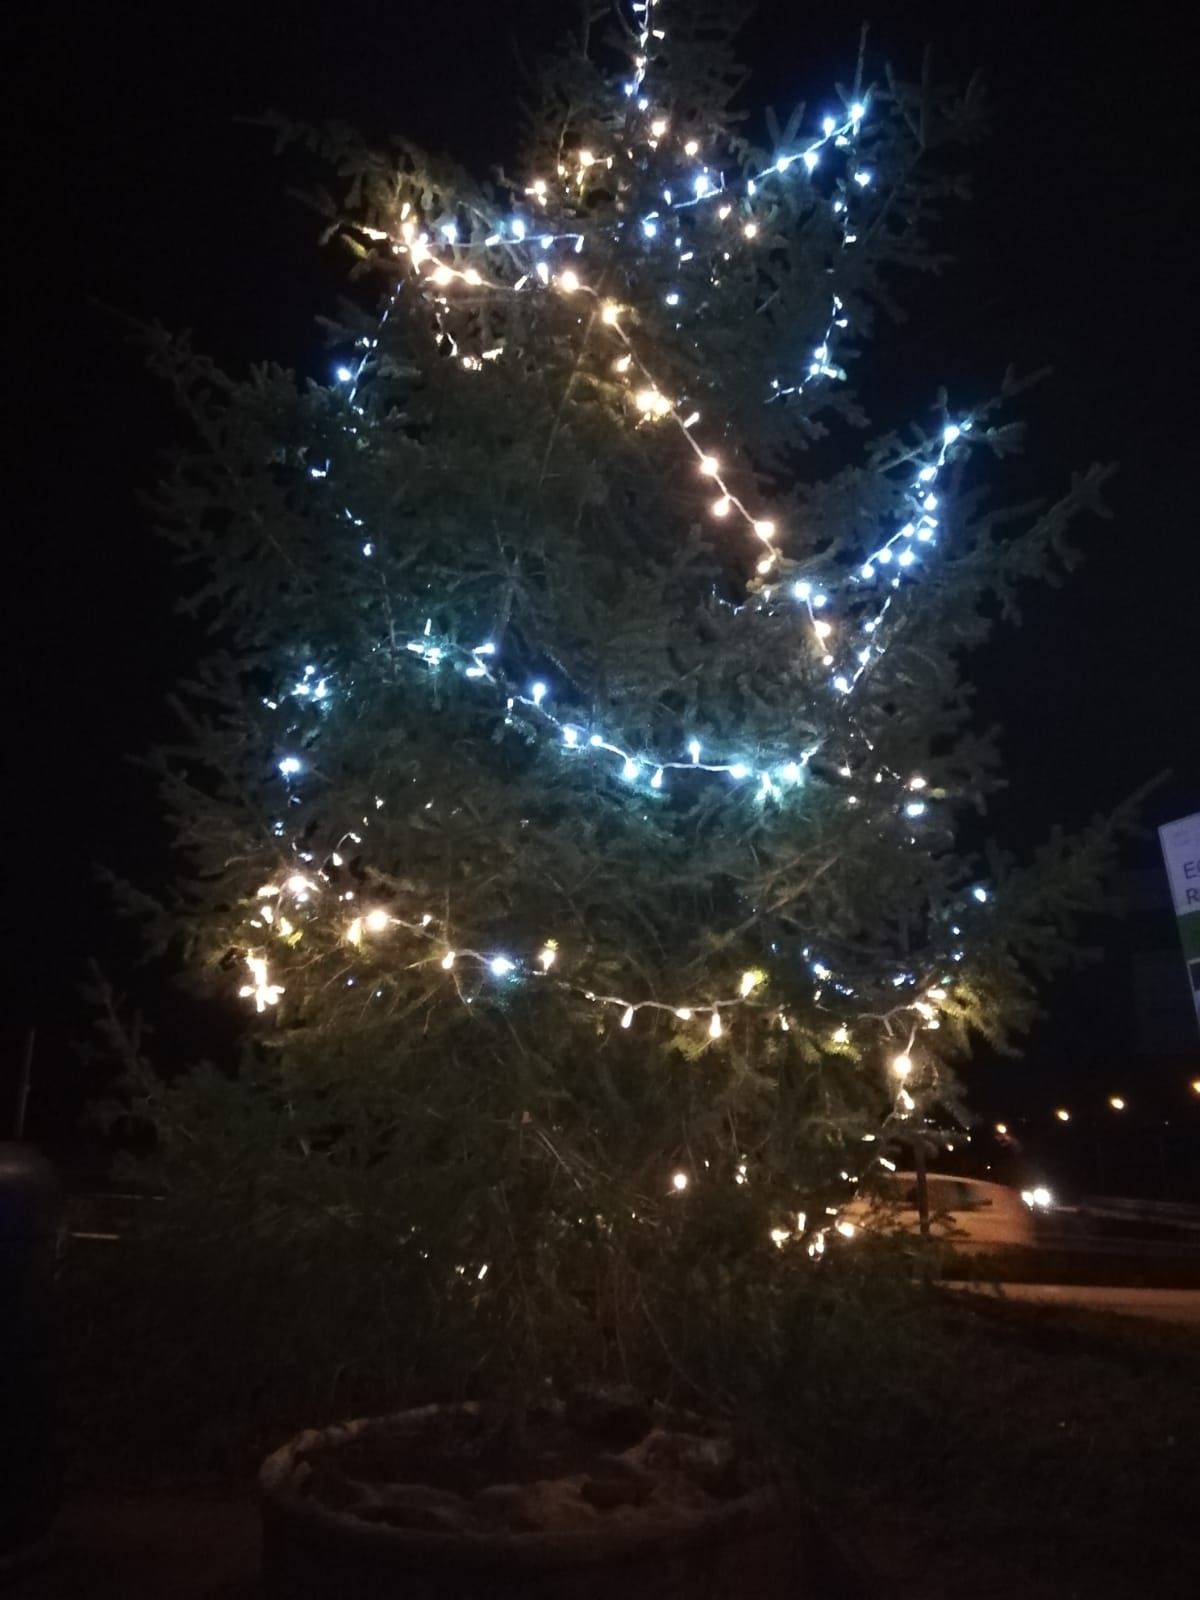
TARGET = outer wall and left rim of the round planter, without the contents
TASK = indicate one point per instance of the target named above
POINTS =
(743, 1546)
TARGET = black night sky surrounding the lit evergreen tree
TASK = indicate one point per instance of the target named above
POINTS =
(148, 199)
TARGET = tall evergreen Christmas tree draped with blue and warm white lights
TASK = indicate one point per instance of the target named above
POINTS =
(575, 791)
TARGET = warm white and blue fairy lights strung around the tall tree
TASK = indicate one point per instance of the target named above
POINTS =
(534, 250)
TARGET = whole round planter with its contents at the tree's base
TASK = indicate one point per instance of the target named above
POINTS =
(598, 1502)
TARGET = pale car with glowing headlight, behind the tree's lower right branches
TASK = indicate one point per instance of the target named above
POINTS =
(967, 1214)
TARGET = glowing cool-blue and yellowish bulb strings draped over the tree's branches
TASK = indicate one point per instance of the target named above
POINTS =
(652, 402)
